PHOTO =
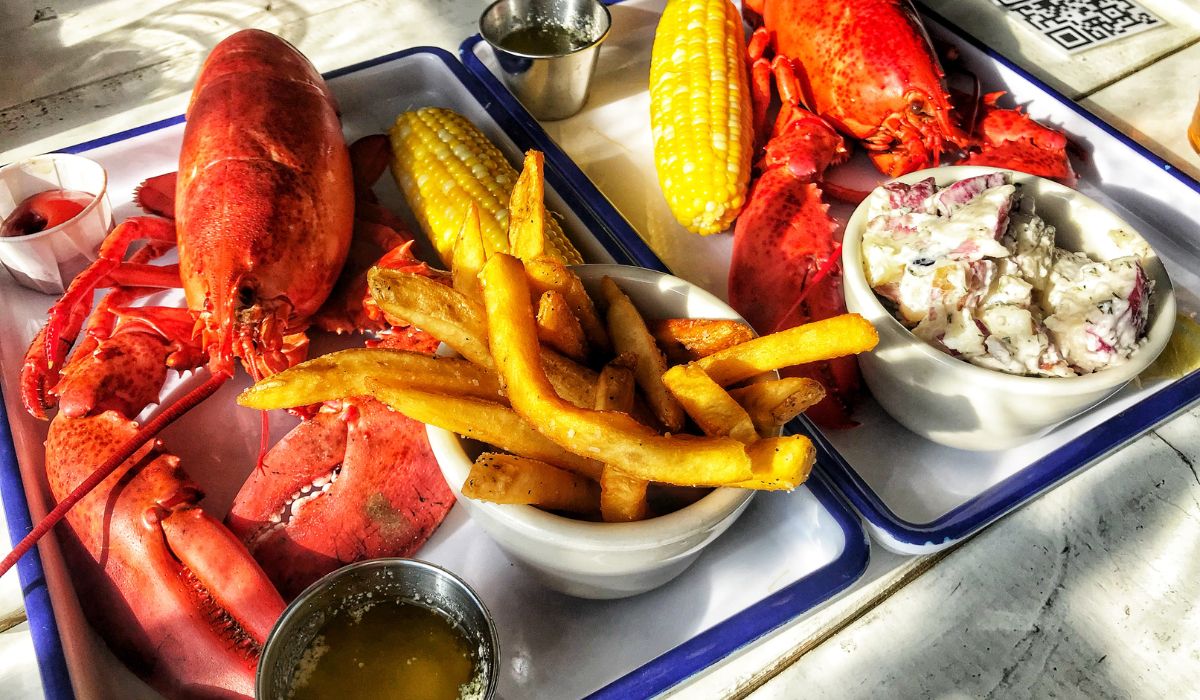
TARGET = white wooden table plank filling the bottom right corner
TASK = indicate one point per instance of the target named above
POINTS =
(1089, 593)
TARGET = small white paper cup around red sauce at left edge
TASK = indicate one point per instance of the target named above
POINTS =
(47, 261)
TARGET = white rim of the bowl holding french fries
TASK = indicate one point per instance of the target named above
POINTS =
(653, 533)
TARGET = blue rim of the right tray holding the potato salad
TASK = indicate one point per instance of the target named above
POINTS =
(1034, 480)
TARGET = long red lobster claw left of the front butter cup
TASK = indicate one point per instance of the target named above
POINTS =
(159, 573)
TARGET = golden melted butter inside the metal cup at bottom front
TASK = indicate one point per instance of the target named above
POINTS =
(382, 651)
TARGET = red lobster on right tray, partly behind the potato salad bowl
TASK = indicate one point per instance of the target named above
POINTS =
(866, 70)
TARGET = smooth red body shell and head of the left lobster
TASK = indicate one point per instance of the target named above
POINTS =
(265, 205)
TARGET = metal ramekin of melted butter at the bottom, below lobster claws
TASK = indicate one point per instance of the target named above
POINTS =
(382, 630)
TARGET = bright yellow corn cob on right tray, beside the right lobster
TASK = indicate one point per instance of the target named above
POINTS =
(700, 113)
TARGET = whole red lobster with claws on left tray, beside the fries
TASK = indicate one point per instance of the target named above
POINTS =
(265, 211)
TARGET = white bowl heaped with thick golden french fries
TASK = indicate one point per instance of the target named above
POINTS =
(603, 424)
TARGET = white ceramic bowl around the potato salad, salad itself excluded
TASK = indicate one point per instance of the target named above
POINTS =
(961, 405)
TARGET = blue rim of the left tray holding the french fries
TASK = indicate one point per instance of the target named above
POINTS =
(626, 247)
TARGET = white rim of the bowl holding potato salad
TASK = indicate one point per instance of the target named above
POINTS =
(1157, 334)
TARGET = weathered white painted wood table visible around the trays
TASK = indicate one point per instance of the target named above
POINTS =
(1091, 591)
